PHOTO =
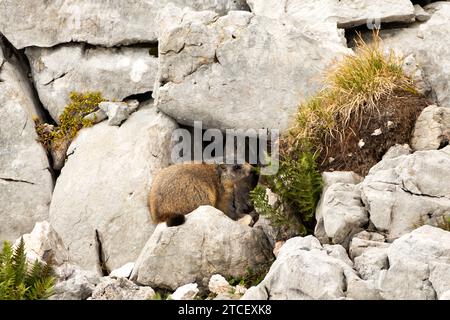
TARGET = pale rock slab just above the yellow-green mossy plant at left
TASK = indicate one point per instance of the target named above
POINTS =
(115, 72)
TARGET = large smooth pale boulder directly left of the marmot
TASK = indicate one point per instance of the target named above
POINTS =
(100, 198)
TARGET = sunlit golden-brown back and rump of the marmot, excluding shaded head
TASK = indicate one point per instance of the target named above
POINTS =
(180, 189)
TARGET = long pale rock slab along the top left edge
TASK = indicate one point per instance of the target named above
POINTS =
(102, 22)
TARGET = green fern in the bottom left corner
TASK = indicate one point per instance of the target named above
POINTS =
(19, 280)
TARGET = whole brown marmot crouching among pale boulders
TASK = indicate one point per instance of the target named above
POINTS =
(180, 189)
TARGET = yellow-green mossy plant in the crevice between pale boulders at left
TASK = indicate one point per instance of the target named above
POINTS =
(71, 120)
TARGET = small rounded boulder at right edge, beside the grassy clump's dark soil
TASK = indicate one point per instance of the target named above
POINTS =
(432, 130)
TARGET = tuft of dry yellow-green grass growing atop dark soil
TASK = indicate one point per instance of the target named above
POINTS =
(352, 89)
